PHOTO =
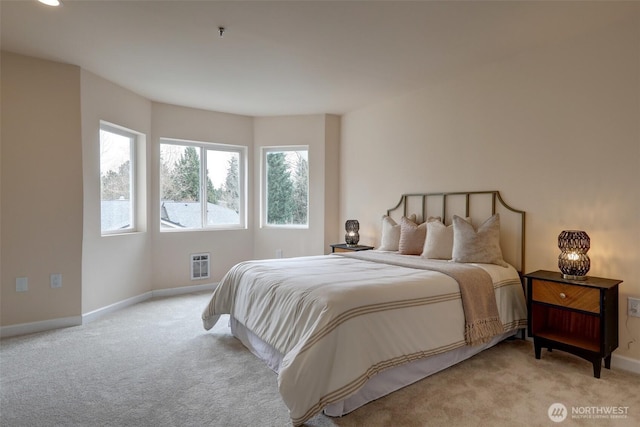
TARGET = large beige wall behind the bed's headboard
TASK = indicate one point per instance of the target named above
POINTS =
(555, 129)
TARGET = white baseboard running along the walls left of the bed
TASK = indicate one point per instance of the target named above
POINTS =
(65, 322)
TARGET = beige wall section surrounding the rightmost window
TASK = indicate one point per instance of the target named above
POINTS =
(319, 133)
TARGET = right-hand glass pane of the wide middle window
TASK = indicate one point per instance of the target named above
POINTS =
(223, 187)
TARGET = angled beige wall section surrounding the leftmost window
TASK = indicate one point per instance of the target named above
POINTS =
(114, 267)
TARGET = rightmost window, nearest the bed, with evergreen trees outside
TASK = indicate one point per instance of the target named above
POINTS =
(285, 200)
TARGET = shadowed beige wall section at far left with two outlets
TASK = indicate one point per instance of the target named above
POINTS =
(41, 230)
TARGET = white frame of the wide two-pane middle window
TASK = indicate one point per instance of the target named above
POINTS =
(203, 147)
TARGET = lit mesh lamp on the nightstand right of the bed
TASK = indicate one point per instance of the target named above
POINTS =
(573, 260)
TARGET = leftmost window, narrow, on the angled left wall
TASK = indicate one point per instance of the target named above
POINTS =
(117, 172)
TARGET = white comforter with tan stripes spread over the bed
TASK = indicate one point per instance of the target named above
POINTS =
(339, 320)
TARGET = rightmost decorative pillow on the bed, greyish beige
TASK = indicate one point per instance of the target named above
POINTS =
(482, 246)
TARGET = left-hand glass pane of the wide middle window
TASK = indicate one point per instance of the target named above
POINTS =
(180, 186)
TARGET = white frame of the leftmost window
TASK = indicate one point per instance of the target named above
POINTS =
(134, 141)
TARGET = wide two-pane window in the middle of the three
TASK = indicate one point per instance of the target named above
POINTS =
(201, 185)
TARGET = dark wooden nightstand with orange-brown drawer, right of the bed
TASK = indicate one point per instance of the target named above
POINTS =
(576, 316)
